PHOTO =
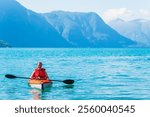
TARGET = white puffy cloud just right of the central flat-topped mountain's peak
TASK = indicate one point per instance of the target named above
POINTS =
(111, 14)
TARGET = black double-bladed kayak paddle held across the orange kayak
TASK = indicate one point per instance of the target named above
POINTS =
(68, 81)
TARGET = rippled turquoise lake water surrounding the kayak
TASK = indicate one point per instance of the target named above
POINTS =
(99, 74)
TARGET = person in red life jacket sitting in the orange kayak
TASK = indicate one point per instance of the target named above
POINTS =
(39, 73)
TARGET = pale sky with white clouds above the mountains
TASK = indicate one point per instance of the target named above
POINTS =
(107, 9)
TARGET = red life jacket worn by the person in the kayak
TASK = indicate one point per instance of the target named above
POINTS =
(39, 74)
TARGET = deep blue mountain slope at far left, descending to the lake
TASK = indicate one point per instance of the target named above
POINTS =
(21, 27)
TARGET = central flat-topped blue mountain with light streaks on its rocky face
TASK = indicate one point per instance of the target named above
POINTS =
(85, 30)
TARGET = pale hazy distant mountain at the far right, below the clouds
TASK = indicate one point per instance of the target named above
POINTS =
(138, 30)
